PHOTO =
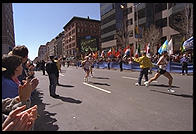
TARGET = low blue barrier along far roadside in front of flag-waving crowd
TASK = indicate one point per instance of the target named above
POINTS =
(171, 67)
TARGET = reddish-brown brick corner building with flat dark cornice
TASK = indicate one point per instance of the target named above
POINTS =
(81, 35)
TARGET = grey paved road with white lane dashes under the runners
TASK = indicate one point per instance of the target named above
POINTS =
(111, 102)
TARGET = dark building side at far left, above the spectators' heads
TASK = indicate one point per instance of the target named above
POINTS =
(8, 38)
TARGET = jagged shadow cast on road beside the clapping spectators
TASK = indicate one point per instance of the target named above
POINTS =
(44, 122)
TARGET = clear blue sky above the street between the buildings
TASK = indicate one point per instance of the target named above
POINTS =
(36, 24)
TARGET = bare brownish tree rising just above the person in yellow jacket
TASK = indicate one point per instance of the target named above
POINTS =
(151, 35)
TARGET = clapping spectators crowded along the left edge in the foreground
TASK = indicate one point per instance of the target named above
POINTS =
(18, 84)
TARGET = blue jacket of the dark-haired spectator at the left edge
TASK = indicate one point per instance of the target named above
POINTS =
(9, 88)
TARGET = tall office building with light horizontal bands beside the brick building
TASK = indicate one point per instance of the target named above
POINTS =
(111, 23)
